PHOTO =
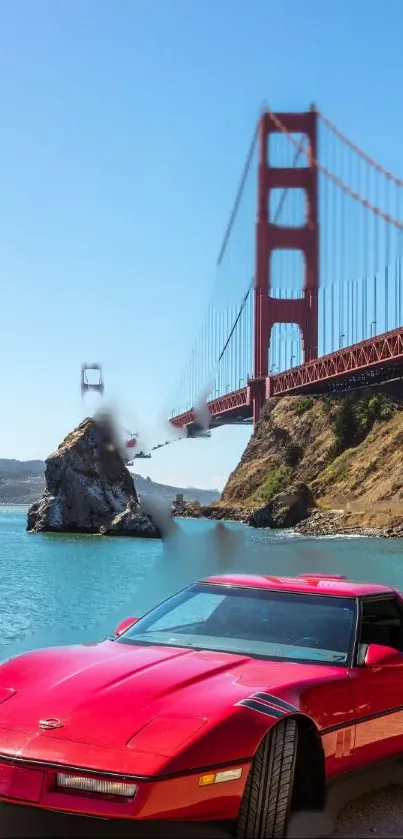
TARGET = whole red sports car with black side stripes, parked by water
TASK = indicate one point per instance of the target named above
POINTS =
(238, 699)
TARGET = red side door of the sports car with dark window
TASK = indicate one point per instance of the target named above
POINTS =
(378, 690)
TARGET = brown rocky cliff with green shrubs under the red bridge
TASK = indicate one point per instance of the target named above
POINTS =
(346, 450)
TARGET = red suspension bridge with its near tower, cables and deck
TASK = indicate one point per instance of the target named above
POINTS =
(308, 292)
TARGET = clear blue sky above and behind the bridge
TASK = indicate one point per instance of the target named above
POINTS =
(124, 127)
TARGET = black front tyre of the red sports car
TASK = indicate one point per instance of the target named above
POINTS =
(266, 800)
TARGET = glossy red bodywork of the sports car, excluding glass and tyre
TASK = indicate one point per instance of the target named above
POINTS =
(165, 716)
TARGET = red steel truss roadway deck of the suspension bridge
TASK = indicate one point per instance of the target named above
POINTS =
(371, 361)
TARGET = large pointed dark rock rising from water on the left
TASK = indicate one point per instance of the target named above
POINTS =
(88, 488)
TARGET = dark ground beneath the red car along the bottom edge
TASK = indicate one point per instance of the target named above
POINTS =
(374, 814)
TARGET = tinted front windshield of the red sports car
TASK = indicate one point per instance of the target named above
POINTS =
(255, 622)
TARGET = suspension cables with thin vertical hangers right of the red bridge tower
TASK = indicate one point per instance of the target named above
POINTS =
(361, 244)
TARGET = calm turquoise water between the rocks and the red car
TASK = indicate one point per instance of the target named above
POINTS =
(68, 589)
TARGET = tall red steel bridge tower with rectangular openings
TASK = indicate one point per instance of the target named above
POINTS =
(270, 236)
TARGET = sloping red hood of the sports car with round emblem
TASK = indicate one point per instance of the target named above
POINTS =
(113, 694)
